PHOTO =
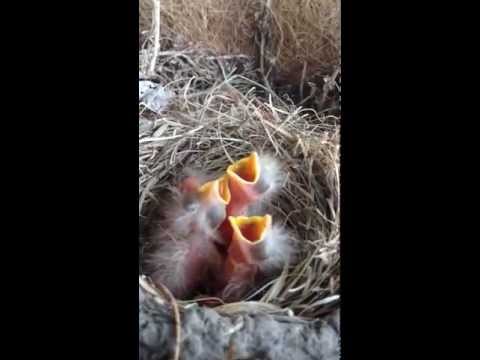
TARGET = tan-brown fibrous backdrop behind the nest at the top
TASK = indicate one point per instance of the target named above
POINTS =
(305, 33)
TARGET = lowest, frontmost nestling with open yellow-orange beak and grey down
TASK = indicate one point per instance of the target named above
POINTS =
(257, 249)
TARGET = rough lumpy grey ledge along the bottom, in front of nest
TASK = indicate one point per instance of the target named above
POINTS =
(255, 333)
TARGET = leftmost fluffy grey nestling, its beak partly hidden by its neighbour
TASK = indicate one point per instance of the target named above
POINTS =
(186, 254)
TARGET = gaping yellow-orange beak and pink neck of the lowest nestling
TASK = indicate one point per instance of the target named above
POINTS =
(247, 246)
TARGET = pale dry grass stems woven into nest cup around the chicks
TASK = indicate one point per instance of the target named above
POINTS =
(219, 113)
